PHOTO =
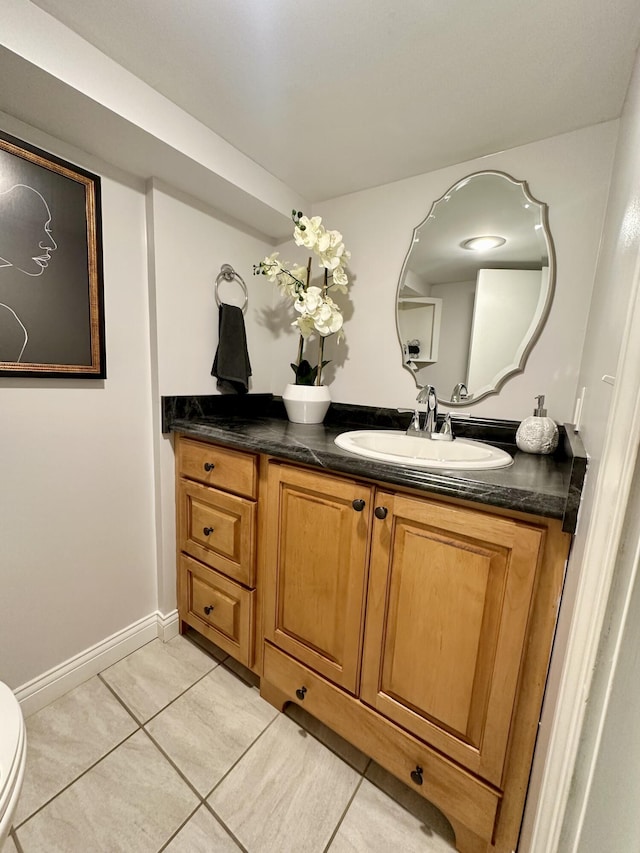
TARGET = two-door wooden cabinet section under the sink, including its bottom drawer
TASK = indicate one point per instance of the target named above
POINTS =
(418, 629)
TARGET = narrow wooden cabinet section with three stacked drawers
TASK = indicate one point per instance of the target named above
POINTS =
(216, 531)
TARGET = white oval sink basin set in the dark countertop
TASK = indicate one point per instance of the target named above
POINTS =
(397, 448)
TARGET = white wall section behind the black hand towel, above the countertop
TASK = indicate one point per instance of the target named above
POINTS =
(191, 242)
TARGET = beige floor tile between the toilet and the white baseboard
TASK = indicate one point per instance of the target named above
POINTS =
(66, 738)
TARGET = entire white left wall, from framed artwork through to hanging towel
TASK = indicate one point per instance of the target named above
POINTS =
(88, 509)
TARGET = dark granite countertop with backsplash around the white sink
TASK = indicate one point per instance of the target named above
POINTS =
(549, 486)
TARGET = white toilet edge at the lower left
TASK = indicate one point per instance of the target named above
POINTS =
(13, 756)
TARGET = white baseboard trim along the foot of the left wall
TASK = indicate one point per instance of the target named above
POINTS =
(45, 688)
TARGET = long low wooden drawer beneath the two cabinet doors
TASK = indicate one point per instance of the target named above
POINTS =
(451, 788)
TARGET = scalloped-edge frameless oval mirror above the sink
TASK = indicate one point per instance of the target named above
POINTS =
(476, 287)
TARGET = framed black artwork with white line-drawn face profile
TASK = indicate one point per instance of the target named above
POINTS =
(51, 284)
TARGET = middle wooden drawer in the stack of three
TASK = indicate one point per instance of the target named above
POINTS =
(218, 529)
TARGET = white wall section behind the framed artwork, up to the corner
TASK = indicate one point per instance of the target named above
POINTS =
(77, 560)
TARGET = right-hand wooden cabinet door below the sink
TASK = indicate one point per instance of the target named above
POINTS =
(449, 597)
